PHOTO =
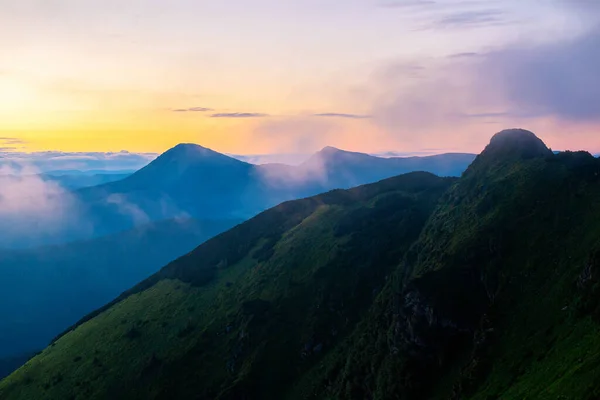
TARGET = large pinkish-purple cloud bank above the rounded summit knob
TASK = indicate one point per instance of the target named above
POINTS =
(533, 83)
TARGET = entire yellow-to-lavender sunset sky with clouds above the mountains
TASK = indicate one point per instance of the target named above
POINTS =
(293, 76)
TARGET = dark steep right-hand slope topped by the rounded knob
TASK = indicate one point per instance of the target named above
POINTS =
(498, 299)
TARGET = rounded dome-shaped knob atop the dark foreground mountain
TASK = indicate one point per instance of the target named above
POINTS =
(516, 143)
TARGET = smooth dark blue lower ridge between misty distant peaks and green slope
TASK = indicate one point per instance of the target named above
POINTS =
(44, 290)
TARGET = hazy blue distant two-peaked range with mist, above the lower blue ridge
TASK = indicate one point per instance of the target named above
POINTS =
(187, 180)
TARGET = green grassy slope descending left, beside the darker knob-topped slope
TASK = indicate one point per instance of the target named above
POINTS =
(275, 293)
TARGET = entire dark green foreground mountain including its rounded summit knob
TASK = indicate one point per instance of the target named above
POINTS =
(416, 287)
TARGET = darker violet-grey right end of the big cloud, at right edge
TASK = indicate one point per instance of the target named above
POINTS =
(558, 78)
